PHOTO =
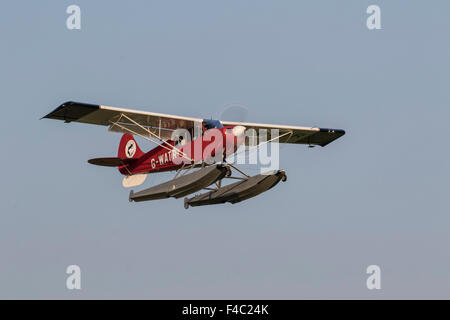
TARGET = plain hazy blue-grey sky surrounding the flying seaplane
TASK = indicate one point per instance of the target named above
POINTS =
(379, 195)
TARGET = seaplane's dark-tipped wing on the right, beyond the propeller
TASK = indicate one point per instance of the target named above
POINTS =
(293, 134)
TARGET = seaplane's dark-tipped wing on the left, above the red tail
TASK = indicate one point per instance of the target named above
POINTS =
(118, 118)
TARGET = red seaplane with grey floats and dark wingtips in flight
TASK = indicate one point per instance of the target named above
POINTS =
(184, 144)
